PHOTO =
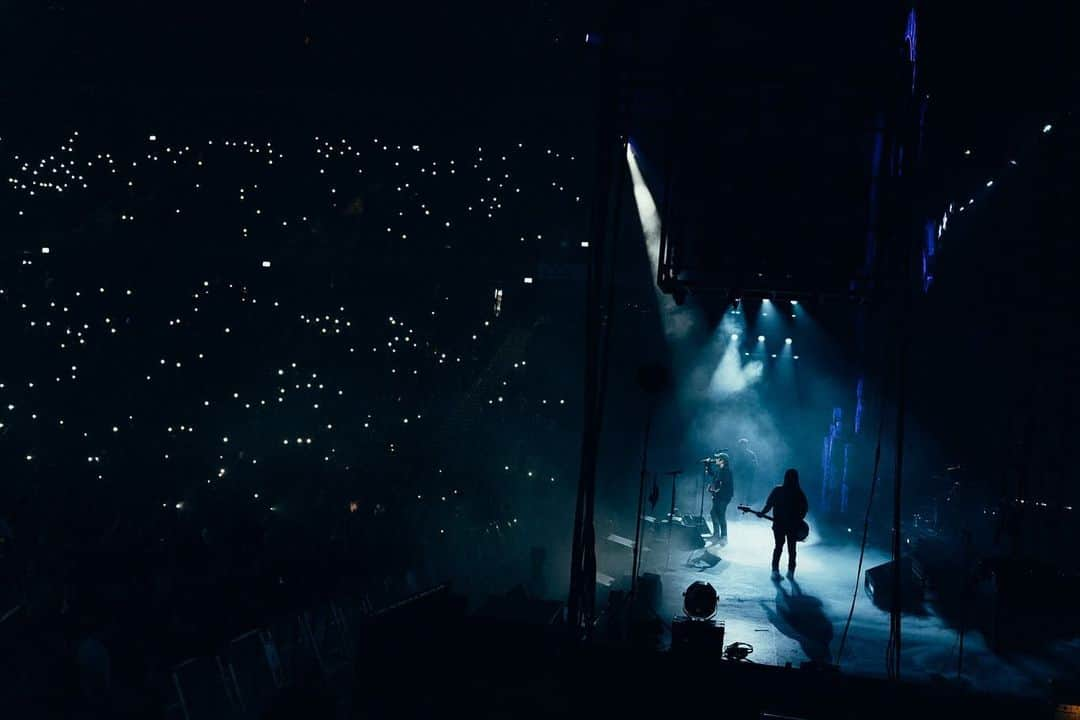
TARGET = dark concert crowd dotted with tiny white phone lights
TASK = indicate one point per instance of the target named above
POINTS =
(242, 375)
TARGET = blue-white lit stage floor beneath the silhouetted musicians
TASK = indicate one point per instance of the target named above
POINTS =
(795, 622)
